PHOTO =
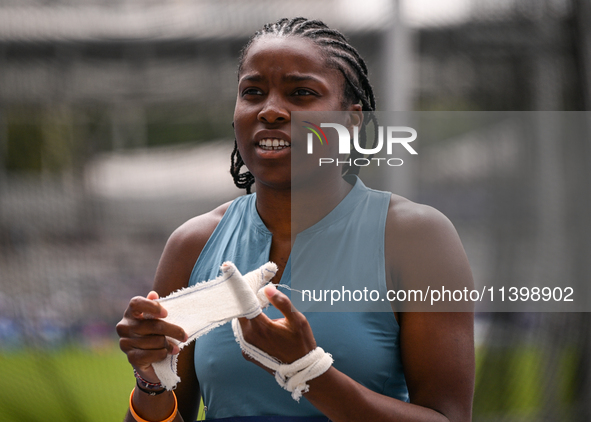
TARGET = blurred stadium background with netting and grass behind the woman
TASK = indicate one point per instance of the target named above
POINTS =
(115, 128)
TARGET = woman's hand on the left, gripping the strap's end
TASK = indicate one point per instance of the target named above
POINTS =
(143, 335)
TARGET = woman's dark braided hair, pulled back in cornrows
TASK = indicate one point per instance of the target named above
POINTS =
(340, 54)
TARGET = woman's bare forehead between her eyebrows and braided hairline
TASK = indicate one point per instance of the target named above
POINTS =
(286, 54)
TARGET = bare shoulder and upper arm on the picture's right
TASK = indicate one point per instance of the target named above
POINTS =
(437, 348)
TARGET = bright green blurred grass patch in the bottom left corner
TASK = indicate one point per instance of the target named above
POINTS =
(72, 384)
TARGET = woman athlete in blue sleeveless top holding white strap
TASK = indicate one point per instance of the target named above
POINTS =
(414, 367)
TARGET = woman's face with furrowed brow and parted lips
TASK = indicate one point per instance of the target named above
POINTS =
(280, 75)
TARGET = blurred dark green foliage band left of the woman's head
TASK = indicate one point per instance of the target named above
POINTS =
(57, 139)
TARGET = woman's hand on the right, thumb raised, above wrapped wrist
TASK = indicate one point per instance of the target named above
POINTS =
(286, 339)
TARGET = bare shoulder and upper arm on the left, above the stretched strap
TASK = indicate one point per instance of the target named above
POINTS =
(182, 250)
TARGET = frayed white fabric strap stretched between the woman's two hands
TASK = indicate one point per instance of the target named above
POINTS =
(201, 308)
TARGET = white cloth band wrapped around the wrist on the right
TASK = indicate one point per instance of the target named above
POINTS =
(293, 376)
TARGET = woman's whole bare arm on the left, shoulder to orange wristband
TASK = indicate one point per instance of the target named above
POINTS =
(144, 340)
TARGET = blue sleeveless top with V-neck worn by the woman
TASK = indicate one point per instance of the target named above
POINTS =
(364, 345)
